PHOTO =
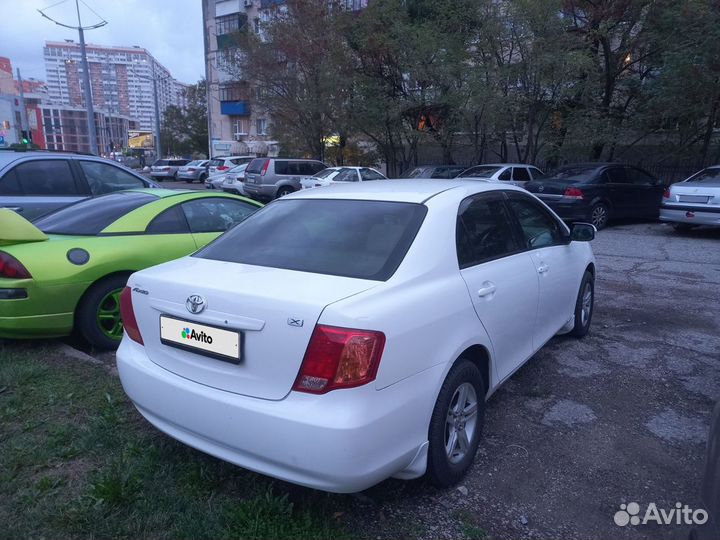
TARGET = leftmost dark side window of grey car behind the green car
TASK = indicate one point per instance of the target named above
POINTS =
(47, 177)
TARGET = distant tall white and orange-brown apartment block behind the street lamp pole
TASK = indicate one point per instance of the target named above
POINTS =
(121, 80)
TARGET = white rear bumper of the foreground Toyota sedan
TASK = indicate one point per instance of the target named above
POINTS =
(344, 441)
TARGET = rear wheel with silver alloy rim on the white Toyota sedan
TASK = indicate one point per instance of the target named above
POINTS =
(448, 457)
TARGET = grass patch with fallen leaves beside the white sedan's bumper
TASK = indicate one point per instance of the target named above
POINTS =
(79, 461)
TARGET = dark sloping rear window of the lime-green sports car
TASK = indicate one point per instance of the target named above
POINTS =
(90, 216)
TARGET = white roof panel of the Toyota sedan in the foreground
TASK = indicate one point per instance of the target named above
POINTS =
(416, 190)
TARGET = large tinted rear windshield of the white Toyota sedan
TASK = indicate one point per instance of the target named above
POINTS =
(357, 239)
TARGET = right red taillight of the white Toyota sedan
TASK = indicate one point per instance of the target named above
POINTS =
(339, 358)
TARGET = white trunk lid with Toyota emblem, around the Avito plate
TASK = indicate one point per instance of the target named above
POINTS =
(275, 311)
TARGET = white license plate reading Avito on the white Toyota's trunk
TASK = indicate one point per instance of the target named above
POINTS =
(200, 338)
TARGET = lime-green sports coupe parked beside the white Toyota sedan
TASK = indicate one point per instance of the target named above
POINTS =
(65, 271)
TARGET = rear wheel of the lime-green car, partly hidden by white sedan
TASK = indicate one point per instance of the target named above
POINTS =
(98, 314)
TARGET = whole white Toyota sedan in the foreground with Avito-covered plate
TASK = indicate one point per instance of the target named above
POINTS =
(353, 334)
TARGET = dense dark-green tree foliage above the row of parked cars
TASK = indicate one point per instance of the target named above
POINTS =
(520, 79)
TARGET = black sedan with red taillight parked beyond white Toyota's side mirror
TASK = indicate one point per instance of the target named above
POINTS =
(599, 192)
